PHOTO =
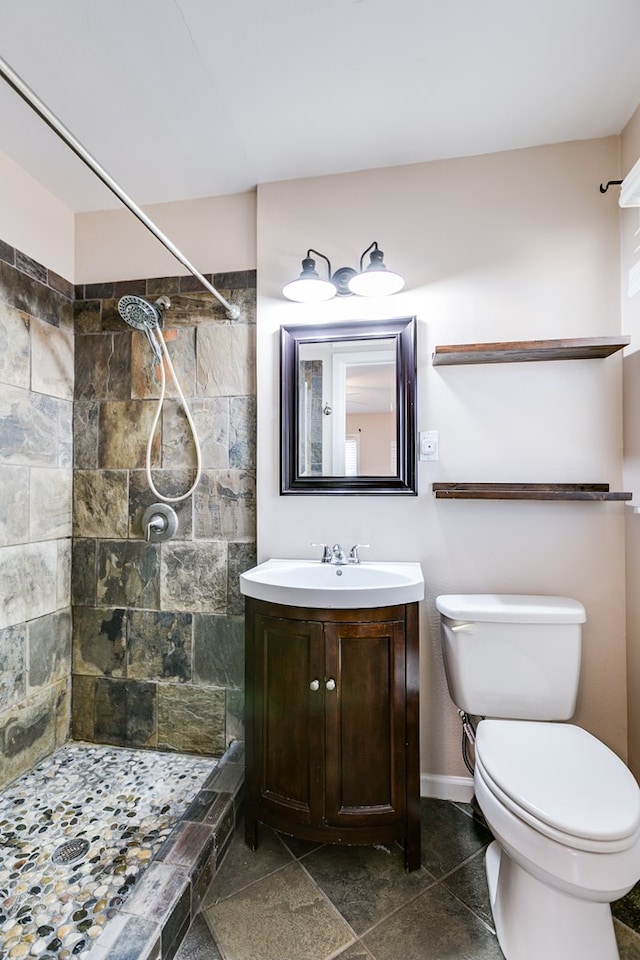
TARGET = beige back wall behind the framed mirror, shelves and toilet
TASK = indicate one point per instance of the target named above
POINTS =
(509, 246)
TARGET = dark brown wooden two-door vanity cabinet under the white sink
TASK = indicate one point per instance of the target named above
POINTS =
(332, 724)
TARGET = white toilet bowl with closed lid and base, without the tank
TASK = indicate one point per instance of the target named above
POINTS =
(565, 812)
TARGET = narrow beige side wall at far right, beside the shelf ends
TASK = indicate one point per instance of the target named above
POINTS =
(630, 222)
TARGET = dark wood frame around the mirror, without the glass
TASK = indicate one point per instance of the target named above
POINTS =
(403, 332)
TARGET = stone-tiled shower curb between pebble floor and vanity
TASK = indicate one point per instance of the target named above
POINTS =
(154, 920)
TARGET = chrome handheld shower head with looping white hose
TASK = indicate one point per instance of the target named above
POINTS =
(147, 318)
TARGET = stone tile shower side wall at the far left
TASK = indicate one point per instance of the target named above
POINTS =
(36, 402)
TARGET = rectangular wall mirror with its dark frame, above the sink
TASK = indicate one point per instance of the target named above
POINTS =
(348, 408)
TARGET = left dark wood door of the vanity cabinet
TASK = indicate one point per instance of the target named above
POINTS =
(288, 717)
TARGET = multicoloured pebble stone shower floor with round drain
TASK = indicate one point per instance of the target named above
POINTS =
(76, 832)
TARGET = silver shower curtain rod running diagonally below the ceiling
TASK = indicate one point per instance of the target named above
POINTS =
(36, 104)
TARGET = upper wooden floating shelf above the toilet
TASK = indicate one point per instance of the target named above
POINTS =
(582, 348)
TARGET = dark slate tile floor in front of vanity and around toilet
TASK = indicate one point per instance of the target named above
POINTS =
(292, 900)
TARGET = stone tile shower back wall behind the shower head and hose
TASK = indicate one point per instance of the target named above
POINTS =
(158, 633)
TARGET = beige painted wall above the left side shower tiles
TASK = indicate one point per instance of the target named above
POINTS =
(34, 221)
